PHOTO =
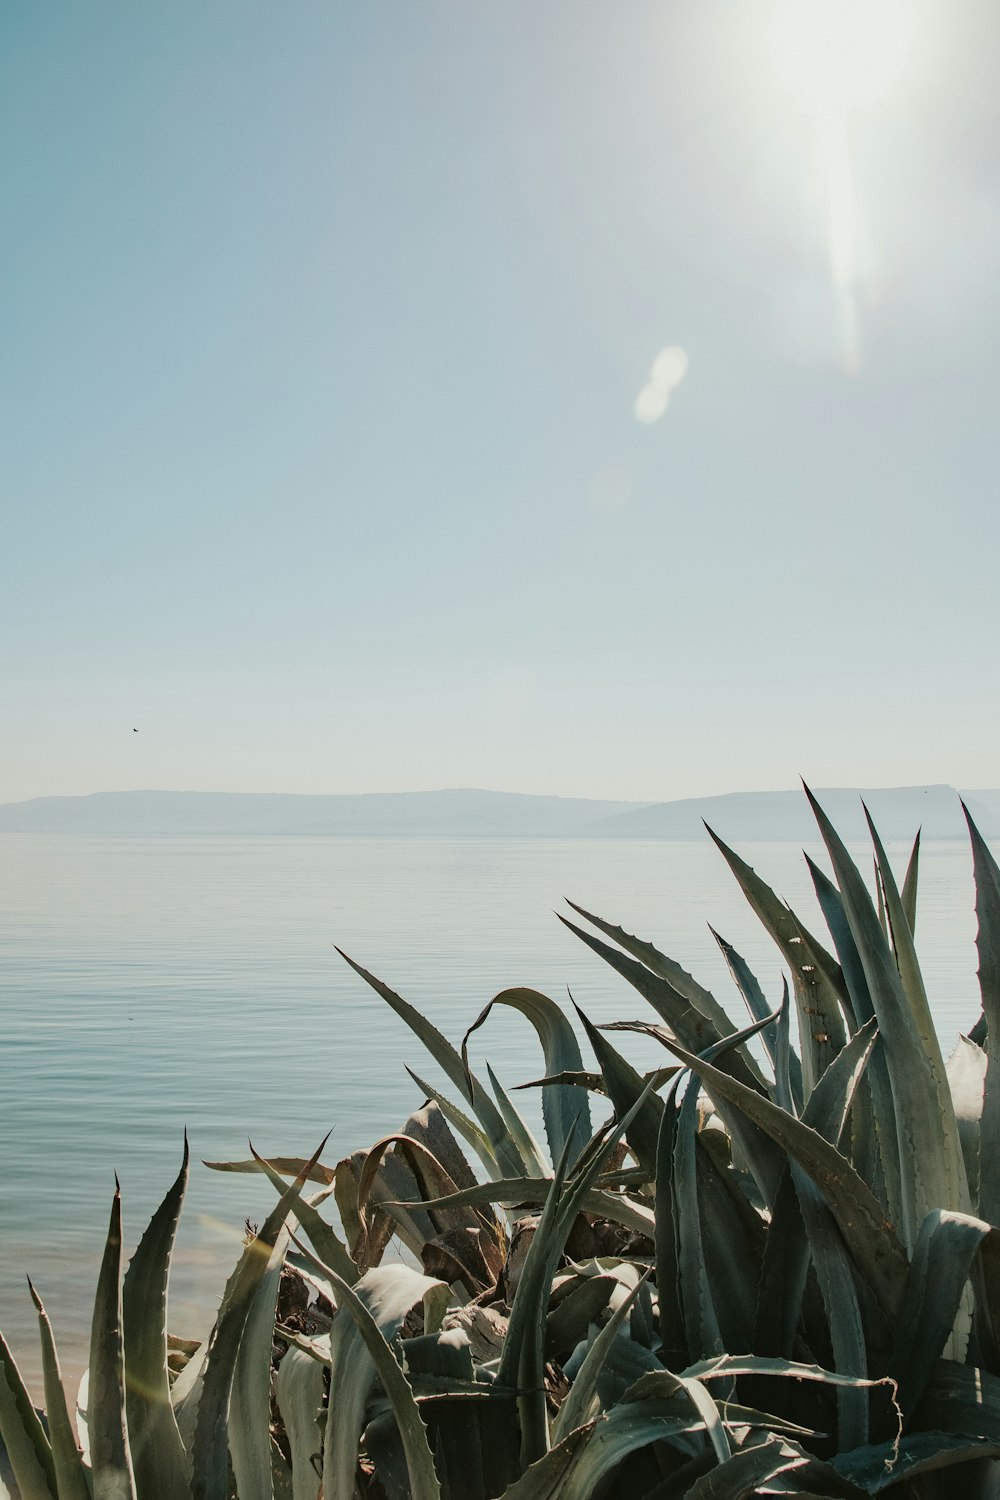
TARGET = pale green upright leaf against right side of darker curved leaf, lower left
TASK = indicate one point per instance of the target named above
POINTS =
(251, 1399)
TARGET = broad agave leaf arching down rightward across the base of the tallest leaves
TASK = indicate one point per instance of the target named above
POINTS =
(869, 1237)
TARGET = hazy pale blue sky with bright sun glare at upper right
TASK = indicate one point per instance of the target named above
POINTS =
(555, 398)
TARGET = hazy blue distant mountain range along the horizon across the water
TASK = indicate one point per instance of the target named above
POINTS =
(747, 817)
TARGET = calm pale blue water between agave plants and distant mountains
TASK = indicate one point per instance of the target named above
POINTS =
(157, 983)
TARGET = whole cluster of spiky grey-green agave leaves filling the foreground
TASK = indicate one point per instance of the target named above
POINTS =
(773, 1271)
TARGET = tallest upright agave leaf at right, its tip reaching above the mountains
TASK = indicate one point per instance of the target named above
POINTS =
(932, 1172)
